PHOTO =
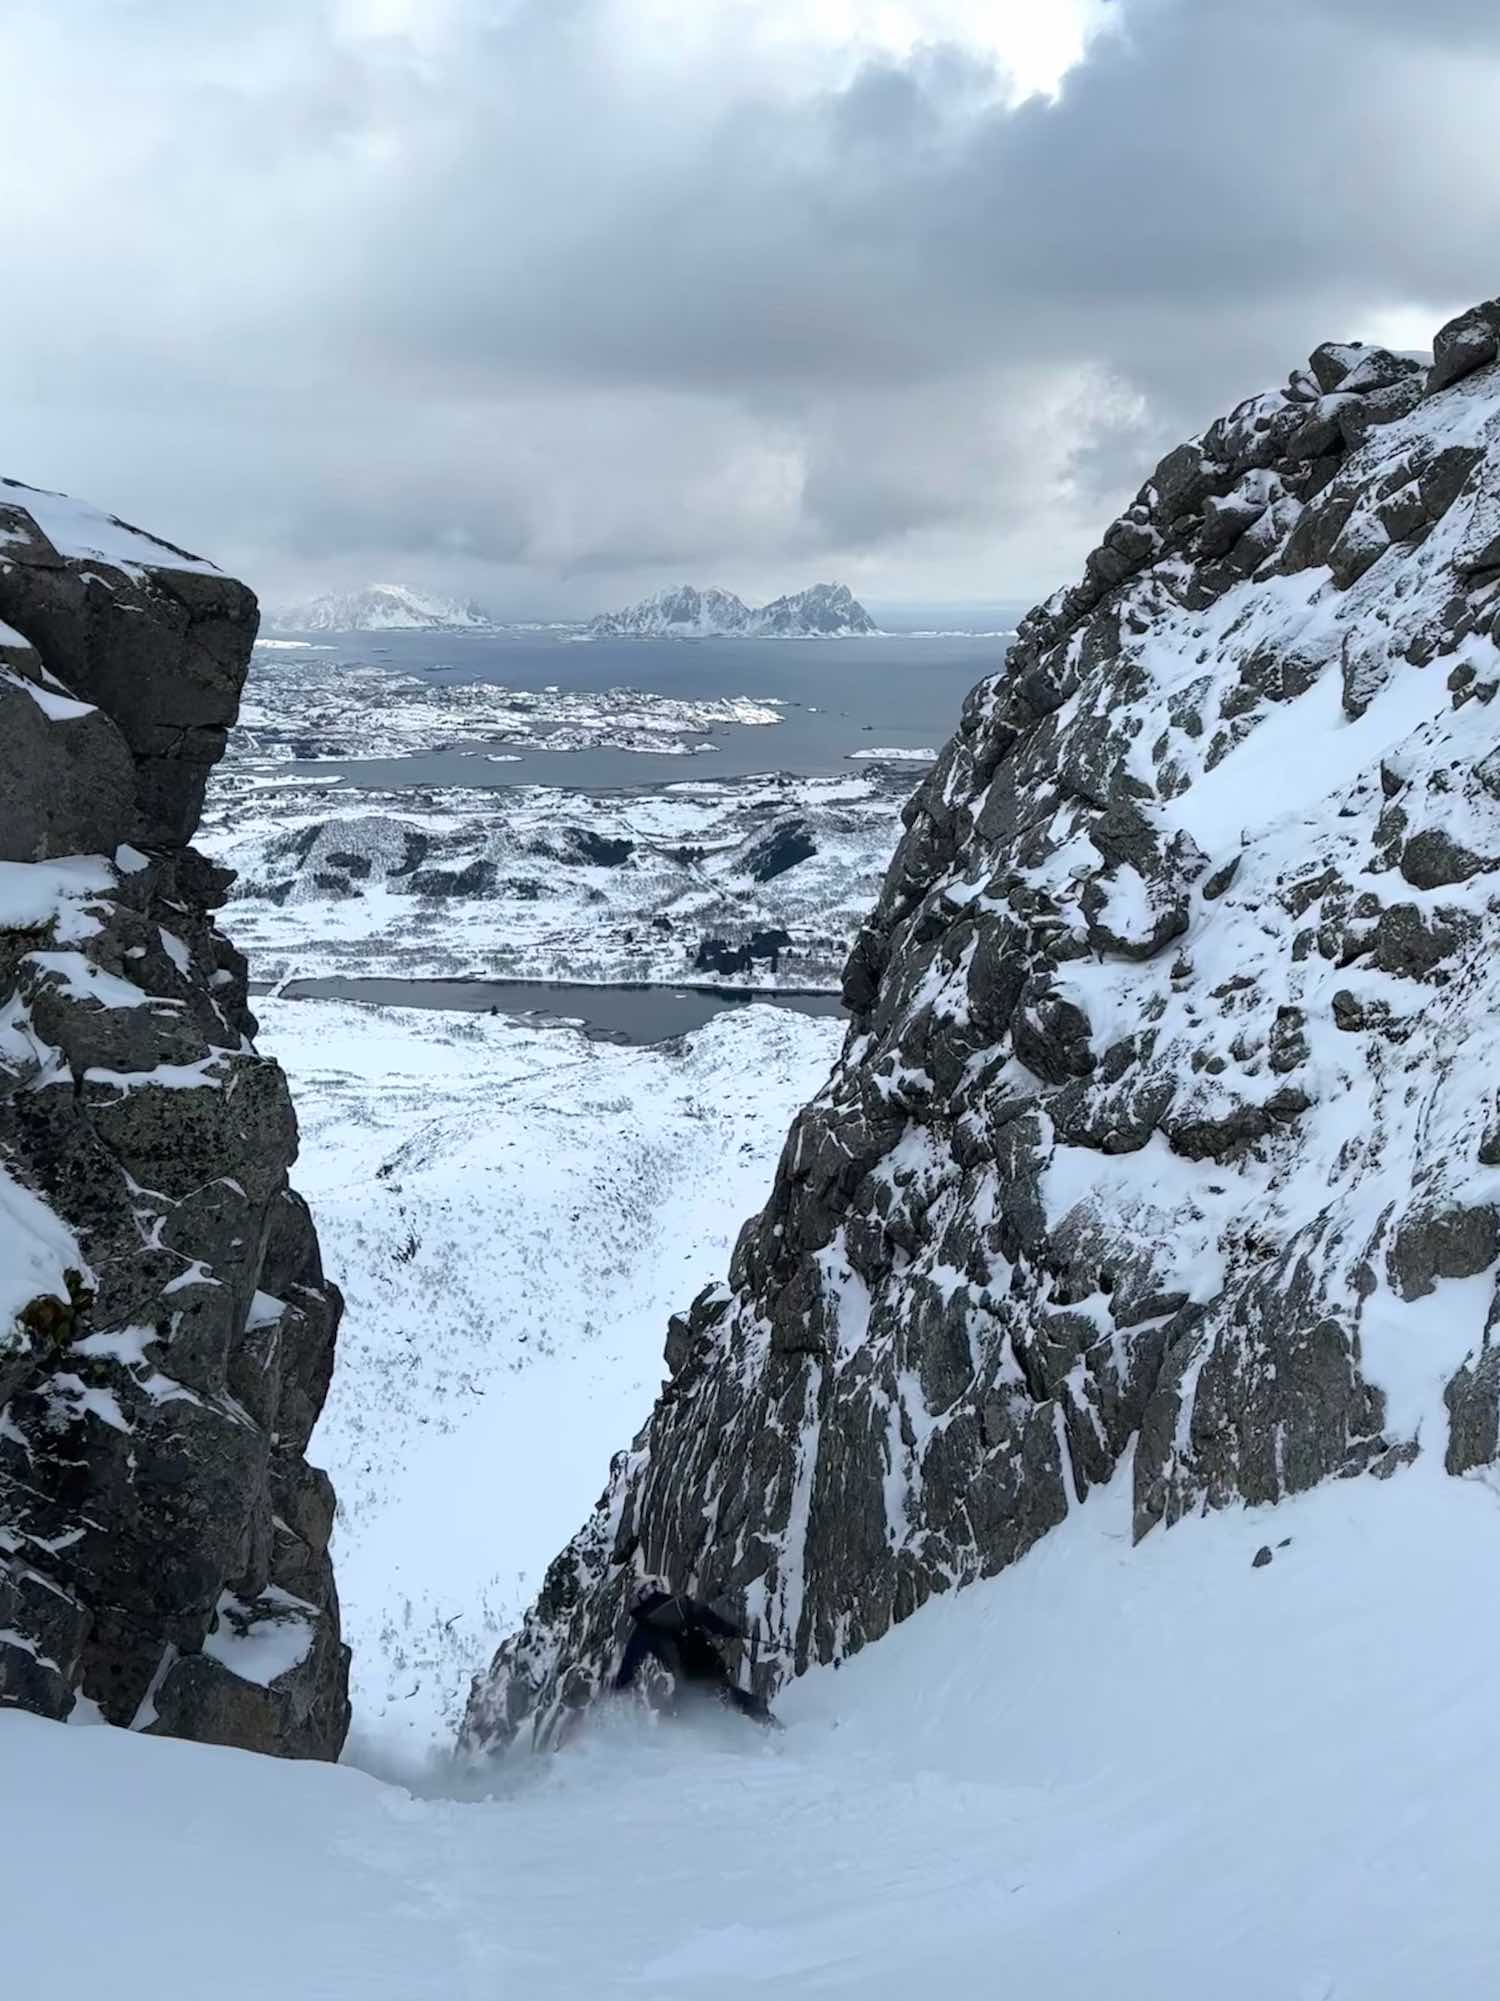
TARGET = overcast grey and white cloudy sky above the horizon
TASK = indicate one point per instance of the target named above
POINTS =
(559, 301)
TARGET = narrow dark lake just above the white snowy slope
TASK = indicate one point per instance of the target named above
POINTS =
(605, 1014)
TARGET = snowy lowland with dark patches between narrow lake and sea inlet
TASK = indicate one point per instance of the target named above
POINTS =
(551, 883)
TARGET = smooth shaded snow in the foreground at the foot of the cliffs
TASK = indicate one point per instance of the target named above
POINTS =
(1155, 1776)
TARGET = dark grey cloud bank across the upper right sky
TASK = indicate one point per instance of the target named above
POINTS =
(1209, 169)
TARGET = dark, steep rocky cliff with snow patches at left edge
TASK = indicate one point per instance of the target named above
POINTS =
(165, 1326)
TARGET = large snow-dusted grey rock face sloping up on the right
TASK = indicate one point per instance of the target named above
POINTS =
(1167, 1124)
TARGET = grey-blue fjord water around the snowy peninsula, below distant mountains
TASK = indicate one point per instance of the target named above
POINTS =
(899, 691)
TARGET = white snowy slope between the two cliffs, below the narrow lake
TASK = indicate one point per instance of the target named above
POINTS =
(513, 1214)
